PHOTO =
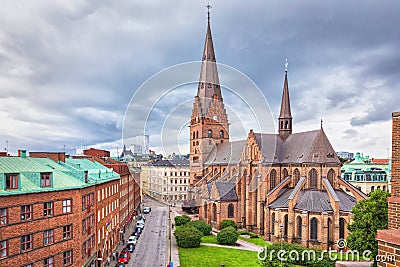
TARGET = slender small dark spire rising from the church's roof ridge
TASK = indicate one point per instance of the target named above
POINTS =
(285, 117)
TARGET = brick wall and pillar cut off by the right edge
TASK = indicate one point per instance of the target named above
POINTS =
(389, 240)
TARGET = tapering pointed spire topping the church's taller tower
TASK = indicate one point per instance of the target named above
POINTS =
(209, 87)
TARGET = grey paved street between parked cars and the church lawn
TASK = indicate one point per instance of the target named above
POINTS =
(151, 247)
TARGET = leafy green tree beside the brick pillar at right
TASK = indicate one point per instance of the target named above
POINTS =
(370, 215)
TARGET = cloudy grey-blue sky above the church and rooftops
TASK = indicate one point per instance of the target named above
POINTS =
(69, 69)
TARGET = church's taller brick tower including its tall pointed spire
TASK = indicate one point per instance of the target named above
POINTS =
(209, 122)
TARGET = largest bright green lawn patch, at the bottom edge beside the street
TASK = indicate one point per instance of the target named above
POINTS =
(215, 256)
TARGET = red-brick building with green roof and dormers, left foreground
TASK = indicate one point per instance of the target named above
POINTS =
(68, 216)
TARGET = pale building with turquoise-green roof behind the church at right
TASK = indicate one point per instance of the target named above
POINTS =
(367, 175)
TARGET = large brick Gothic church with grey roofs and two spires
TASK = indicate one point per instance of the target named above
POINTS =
(282, 186)
